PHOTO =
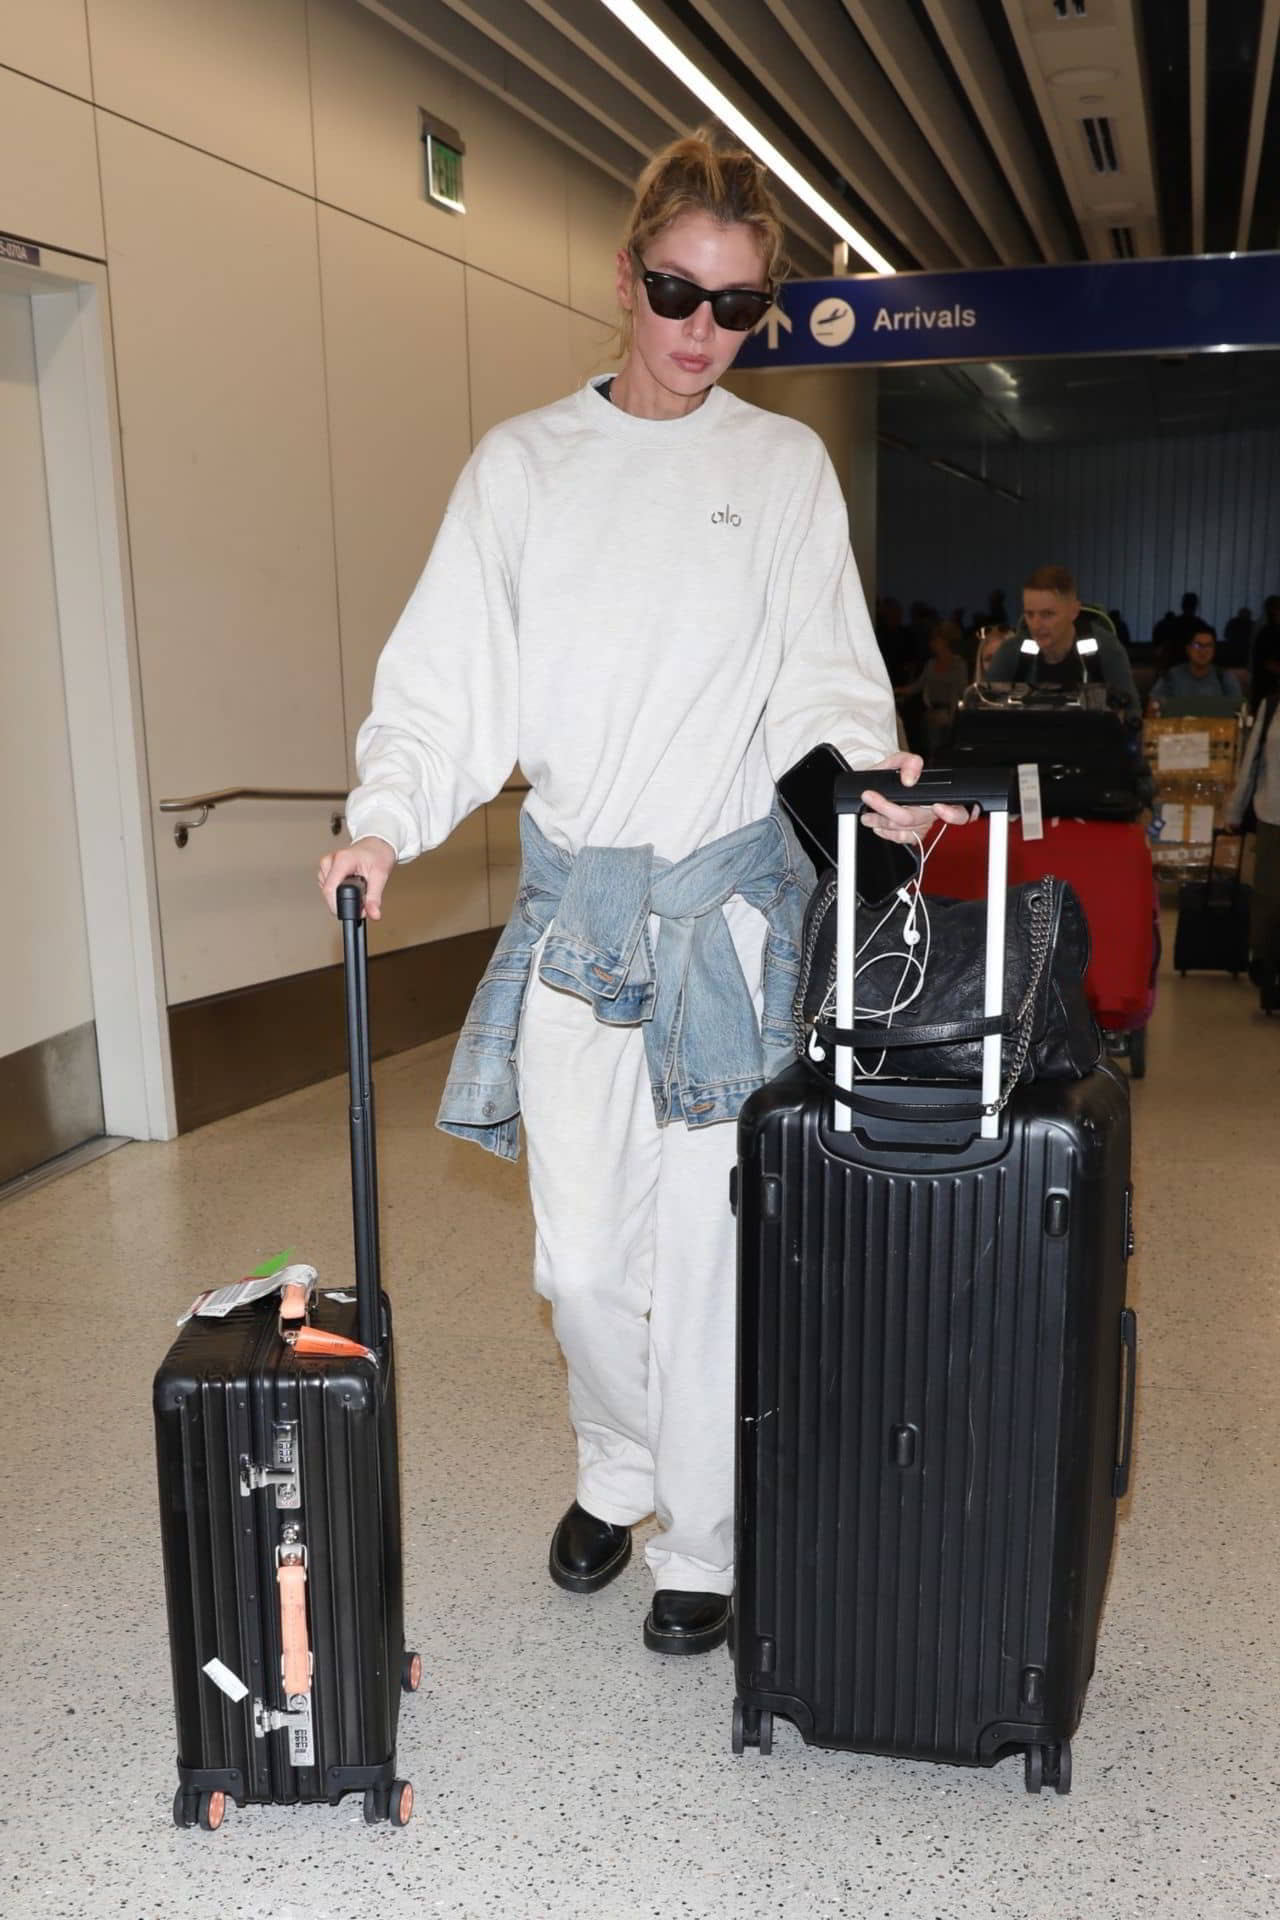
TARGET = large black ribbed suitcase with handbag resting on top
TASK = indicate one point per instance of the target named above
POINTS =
(936, 1399)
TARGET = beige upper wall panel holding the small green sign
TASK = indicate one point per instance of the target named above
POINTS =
(369, 84)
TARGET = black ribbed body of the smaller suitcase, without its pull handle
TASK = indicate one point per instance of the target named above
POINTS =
(218, 1399)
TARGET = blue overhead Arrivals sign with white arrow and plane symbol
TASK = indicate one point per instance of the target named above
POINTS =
(1135, 306)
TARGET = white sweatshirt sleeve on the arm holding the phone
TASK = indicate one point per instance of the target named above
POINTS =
(832, 684)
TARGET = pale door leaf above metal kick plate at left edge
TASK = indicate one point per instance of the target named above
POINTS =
(45, 984)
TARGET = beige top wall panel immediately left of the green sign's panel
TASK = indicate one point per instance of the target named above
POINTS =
(227, 78)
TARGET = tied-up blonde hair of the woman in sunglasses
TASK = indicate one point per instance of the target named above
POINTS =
(701, 176)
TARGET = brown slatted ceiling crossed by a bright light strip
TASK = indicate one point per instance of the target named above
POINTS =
(947, 132)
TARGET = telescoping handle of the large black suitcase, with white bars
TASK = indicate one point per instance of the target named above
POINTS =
(989, 792)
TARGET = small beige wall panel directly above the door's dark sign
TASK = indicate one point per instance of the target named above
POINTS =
(49, 168)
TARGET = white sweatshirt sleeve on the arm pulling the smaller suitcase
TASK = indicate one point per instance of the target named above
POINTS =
(442, 732)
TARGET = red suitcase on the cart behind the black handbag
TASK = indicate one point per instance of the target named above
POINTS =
(1108, 863)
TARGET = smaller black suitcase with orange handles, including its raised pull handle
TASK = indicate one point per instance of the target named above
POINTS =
(279, 1500)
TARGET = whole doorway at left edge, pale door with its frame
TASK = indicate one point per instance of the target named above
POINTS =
(83, 1034)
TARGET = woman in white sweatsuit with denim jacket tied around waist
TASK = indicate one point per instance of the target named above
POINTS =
(646, 596)
